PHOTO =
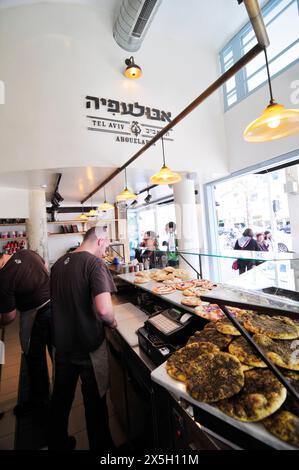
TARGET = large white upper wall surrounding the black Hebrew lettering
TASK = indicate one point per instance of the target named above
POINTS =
(54, 54)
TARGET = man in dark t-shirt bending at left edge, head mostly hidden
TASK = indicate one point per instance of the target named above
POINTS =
(25, 286)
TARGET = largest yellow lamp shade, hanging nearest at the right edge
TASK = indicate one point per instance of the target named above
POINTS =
(275, 122)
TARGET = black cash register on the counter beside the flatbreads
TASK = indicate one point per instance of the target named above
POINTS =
(166, 331)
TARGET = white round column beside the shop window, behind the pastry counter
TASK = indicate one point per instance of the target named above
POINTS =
(186, 220)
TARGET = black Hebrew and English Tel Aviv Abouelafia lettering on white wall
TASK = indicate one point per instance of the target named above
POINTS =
(128, 122)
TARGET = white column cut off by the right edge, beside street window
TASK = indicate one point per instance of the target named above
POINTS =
(292, 190)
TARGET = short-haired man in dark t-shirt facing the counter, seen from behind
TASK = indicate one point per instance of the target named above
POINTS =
(81, 288)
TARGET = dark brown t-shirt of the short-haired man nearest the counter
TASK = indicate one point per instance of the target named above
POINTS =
(76, 278)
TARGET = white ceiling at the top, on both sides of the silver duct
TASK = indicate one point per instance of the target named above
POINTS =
(210, 23)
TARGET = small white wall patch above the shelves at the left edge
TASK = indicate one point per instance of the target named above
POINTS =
(14, 203)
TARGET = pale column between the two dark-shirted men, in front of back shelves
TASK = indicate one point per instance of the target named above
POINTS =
(37, 230)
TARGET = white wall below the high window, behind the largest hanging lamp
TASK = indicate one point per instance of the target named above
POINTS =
(242, 153)
